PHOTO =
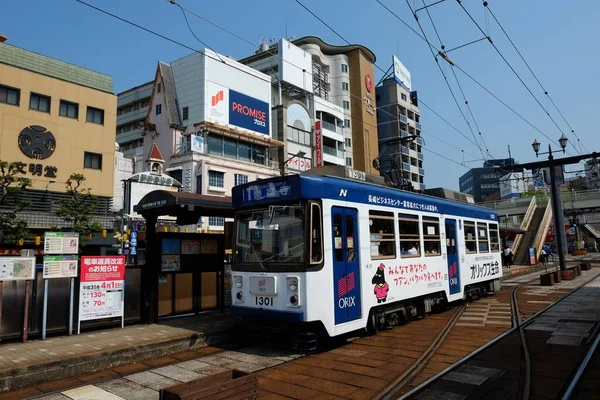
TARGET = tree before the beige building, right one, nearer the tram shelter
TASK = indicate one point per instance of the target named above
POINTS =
(78, 207)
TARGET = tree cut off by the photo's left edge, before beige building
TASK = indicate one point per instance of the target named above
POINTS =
(12, 228)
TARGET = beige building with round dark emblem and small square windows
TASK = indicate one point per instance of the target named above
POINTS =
(56, 119)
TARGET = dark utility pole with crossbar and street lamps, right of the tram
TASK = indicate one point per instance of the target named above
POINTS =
(557, 205)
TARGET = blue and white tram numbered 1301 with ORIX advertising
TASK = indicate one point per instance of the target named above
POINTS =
(350, 255)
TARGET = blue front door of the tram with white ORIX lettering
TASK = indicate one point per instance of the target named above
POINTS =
(346, 264)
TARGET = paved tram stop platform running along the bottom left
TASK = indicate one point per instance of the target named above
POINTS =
(36, 361)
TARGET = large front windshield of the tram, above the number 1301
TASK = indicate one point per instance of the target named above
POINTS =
(271, 235)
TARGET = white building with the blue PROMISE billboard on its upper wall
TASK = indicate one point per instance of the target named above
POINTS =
(210, 117)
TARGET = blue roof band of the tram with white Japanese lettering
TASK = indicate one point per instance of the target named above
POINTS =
(296, 187)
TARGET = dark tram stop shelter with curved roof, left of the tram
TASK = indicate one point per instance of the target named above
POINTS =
(184, 272)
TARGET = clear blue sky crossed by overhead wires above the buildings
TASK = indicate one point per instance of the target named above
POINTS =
(557, 39)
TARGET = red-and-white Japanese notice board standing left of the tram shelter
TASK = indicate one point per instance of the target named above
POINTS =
(101, 292)
